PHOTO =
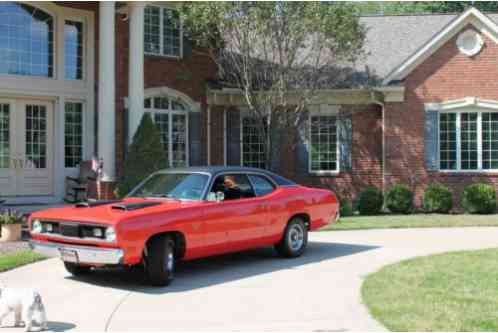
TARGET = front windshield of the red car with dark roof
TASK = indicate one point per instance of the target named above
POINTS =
(181, 186)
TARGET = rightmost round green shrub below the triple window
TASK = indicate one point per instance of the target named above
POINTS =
(479, 199)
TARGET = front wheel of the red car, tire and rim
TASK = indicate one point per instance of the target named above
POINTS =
(160, 261)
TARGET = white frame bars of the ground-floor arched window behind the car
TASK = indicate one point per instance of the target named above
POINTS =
(170, 112)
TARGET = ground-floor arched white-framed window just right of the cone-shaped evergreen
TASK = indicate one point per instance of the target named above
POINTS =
(171, 116)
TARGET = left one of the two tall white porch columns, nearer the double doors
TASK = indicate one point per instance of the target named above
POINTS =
(106, 104)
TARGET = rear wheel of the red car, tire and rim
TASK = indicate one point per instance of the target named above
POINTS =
(295, 239)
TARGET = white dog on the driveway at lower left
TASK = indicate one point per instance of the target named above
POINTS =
(26, 304)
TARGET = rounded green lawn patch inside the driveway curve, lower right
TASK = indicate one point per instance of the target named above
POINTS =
(455, 291)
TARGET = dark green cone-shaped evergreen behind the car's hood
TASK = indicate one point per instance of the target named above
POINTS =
(145, 155)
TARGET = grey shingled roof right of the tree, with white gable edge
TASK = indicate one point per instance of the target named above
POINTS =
(395, 45)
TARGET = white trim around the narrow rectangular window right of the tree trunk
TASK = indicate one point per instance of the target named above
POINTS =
(327, 110)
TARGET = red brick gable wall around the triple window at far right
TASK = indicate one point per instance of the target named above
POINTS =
(446, 75)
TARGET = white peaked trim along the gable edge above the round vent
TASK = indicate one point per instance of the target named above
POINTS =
(471, 16)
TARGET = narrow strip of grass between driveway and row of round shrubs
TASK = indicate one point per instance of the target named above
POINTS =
(412, 221)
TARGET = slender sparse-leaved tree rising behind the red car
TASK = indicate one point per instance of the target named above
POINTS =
(278, 54)
